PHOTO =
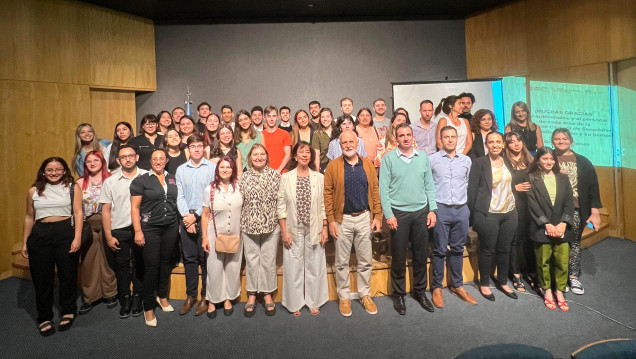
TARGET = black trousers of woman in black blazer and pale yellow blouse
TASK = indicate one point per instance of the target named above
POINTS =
(495, 231)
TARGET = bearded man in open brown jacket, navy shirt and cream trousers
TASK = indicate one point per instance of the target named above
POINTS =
(352, 205)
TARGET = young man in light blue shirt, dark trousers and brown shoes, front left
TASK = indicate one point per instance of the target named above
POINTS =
(192, 177)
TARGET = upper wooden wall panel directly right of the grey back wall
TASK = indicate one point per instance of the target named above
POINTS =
(496, 42)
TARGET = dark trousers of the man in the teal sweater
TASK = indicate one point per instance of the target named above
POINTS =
(411, 229)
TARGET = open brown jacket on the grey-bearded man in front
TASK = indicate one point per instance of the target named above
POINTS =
(334, 189)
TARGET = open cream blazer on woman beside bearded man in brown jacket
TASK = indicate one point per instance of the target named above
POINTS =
(286, 204)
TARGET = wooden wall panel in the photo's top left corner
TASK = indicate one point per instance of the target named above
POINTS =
(45, 41)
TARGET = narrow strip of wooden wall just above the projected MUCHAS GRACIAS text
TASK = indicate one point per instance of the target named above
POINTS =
(594, 74)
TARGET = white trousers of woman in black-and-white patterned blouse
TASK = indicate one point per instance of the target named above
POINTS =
(260, 261)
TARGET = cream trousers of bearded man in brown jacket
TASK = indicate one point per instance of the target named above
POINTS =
(354, 231)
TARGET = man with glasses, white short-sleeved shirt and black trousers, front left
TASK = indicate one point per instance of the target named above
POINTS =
(119, 233)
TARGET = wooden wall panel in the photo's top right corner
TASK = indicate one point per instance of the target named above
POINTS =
(621, 31)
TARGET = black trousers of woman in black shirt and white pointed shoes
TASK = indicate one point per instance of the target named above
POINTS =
(157, 253)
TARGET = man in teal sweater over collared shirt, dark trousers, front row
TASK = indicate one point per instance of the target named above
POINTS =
(407, 193)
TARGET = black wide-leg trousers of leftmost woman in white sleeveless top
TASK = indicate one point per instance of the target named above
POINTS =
(48, 247)
